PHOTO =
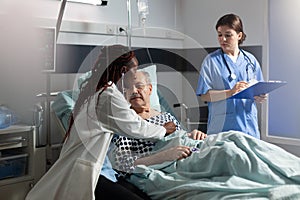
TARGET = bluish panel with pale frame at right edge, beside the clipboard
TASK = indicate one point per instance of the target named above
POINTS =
(284, 109)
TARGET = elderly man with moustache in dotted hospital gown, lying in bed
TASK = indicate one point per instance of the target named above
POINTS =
(131, 152)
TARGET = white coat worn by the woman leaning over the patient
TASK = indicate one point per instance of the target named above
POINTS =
(75, 174)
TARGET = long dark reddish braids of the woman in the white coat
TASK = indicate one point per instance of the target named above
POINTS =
(117, 58)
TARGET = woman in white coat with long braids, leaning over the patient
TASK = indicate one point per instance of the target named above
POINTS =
(100, 111)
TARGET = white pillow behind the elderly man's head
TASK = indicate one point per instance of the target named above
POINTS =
(154, 99)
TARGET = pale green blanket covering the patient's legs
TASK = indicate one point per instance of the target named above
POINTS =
(229, 165)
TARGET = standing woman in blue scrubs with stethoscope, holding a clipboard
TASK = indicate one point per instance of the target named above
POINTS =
(225, 72)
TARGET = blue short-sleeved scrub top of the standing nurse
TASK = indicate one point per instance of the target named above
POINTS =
(229, 114)
